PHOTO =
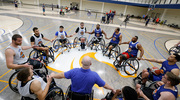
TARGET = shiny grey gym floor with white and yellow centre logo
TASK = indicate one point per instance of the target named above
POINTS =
(21, 20)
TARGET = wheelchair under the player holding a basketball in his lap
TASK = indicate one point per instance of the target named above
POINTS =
(150, 83)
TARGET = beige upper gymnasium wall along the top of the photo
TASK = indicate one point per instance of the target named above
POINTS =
(172, 15)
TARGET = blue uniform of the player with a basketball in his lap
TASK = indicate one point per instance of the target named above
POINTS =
(165, 68)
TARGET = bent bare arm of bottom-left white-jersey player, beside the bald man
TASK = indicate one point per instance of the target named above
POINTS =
(36, 88)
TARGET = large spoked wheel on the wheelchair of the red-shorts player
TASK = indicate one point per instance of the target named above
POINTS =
(131, 66)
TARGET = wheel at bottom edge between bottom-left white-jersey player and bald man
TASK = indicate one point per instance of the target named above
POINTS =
(55, 93)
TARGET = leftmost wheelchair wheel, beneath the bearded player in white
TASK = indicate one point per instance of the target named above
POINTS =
(13, 82)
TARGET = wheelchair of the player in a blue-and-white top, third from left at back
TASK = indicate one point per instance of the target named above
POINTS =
(57, 45)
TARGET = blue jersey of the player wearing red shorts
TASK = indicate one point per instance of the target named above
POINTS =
(133, 49)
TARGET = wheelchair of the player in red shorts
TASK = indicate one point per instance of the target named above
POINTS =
(130, 65)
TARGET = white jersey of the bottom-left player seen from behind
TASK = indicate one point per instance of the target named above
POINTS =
(25, 90)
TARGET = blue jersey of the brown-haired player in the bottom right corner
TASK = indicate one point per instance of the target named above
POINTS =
(156, 93)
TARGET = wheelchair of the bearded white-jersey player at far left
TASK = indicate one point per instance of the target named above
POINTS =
(39, 68)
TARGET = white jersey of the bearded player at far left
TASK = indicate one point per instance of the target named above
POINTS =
(19, 57)
